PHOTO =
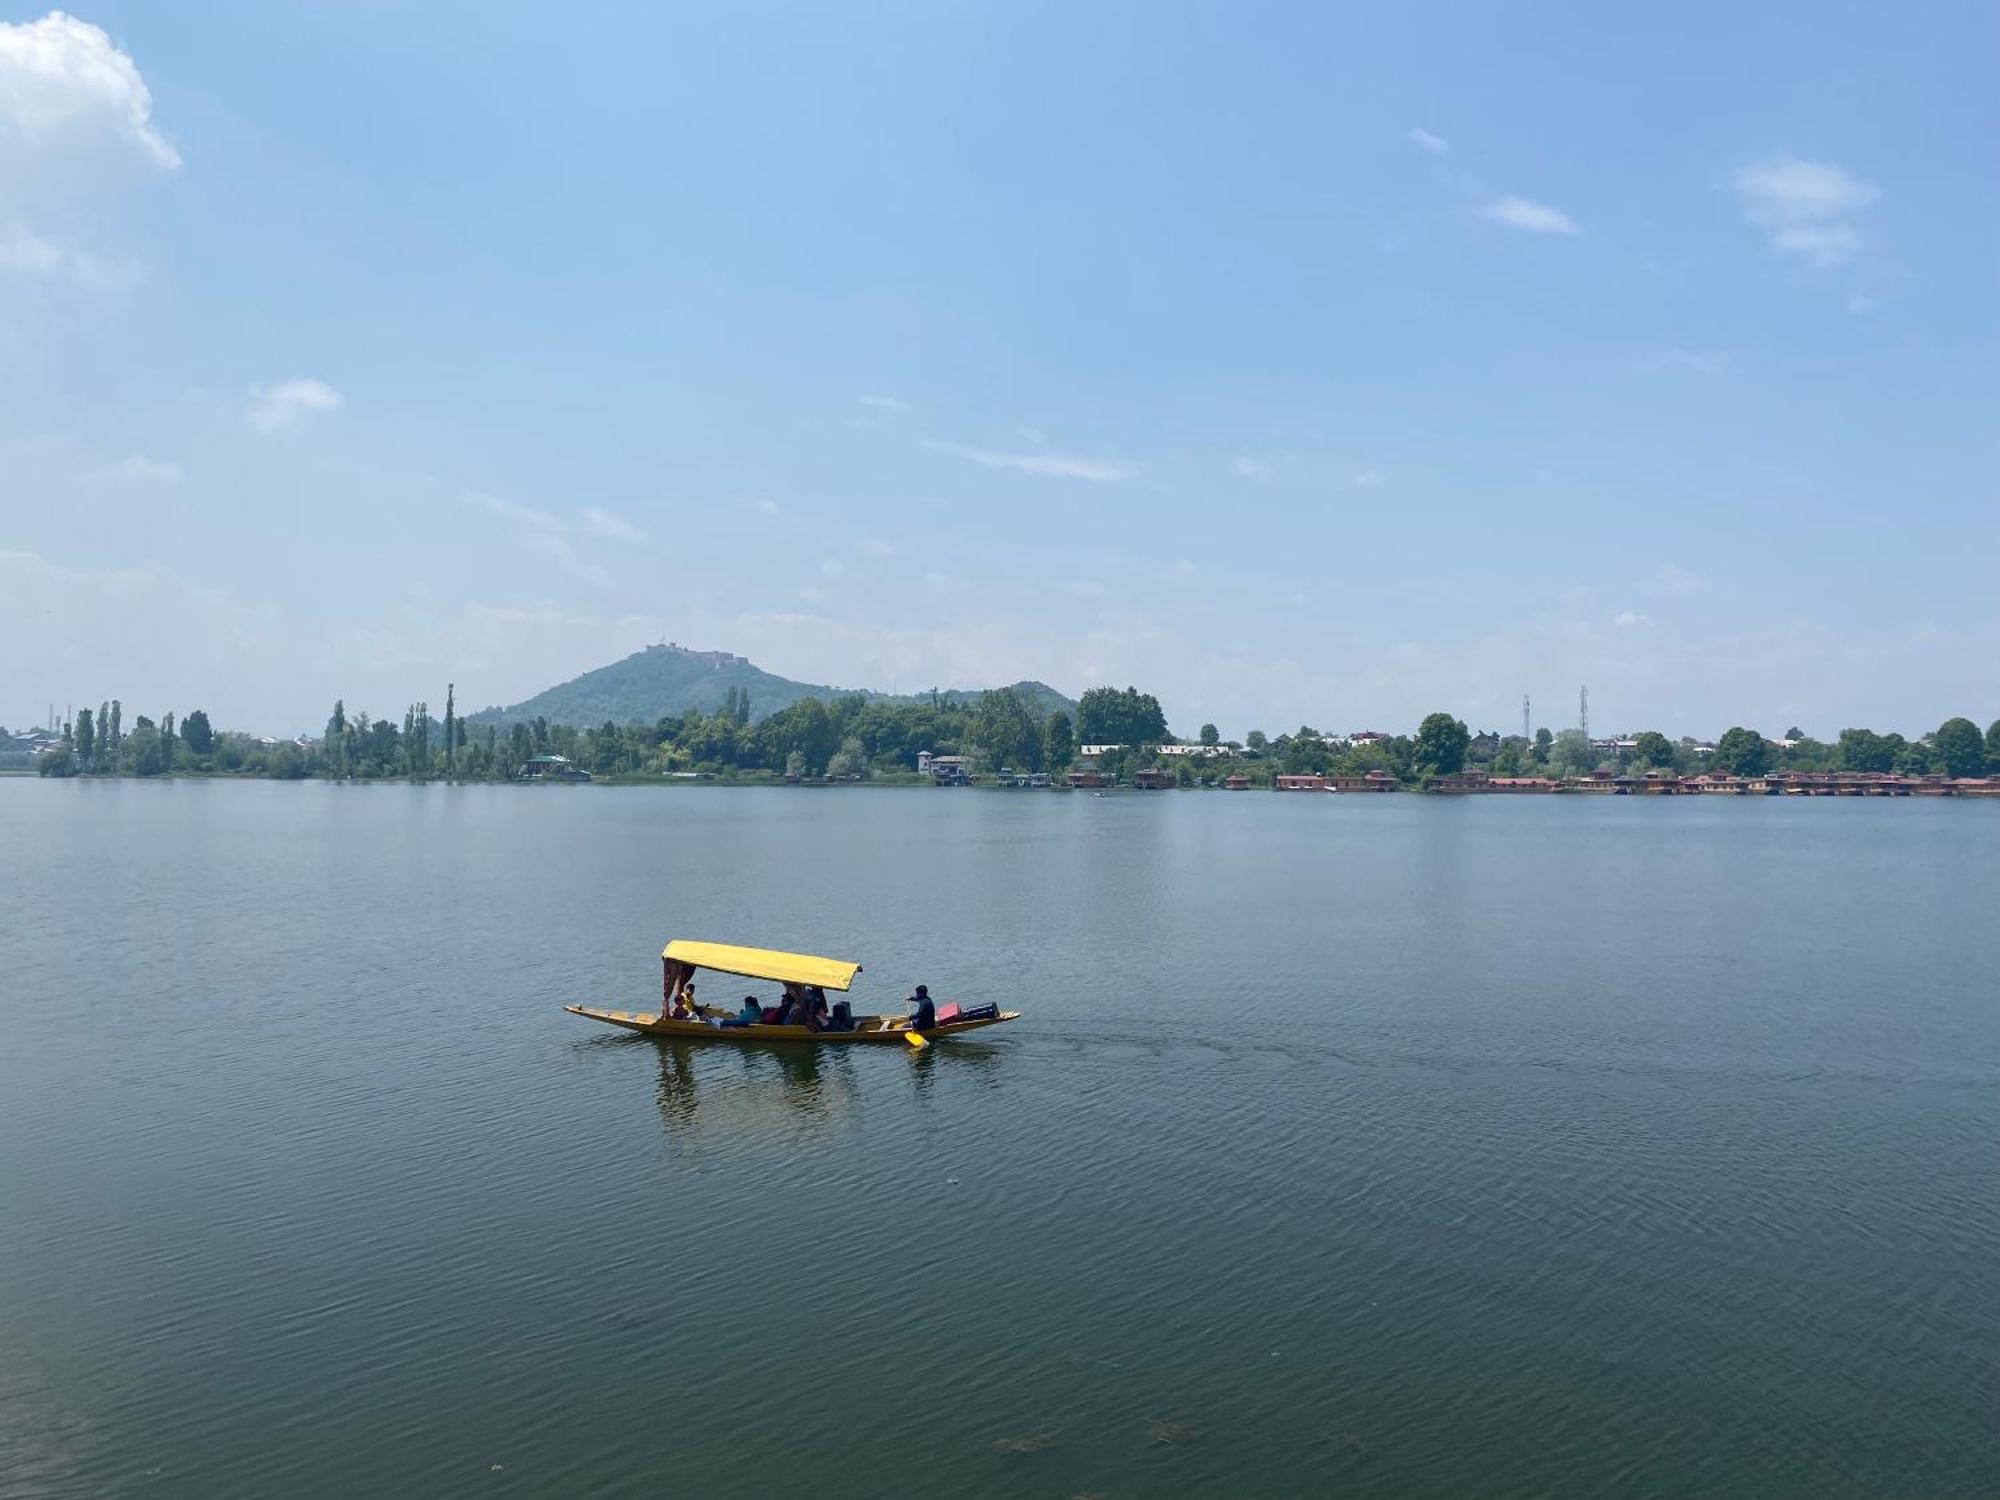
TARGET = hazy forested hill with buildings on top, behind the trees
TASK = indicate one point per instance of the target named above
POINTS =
(663, 681)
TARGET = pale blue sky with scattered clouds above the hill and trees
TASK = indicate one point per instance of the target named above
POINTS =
(1301, 365)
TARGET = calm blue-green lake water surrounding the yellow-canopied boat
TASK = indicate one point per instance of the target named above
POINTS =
(1379, 1147)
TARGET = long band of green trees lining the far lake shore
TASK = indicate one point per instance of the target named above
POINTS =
(857, 739)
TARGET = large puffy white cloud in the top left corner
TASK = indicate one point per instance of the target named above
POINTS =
(65, 85)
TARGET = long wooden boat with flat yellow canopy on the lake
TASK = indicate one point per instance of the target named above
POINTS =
(683, 959)
